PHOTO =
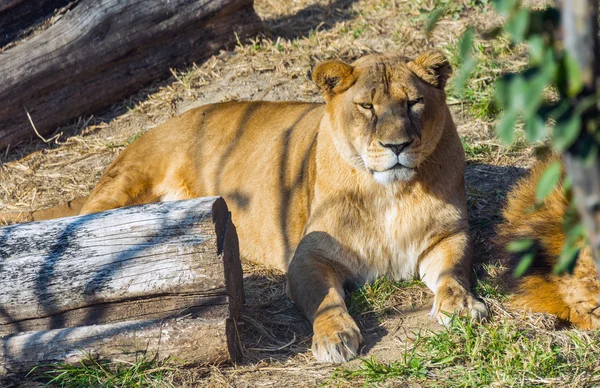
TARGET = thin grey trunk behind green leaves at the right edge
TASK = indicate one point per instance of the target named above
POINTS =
(579, 19)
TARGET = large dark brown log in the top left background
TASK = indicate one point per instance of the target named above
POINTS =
(104, 50)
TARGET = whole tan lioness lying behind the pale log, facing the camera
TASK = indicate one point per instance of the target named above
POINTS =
(336, 194)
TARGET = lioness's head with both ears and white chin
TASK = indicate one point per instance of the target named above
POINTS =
(386, 112)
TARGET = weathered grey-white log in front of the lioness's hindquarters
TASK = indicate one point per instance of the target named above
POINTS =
(97, 281)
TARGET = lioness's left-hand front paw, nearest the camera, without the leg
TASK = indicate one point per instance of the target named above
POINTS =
(336, 337)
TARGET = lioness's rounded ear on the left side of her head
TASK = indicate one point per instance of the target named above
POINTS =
(333, 77)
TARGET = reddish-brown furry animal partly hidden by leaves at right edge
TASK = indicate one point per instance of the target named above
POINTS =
(573, 298)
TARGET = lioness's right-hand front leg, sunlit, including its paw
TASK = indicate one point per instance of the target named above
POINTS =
(446, 270)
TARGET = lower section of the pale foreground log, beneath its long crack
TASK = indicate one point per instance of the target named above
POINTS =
(193, 341)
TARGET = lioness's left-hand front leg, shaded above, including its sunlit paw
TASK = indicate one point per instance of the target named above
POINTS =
(315, 284)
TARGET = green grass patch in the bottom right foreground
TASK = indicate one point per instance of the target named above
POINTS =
(496, 354)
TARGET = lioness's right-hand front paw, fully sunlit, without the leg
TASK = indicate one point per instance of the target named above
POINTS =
(457, 300)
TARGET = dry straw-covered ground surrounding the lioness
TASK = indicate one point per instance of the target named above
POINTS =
(275, 66)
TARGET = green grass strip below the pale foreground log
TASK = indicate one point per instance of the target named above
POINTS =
(90, 373)
